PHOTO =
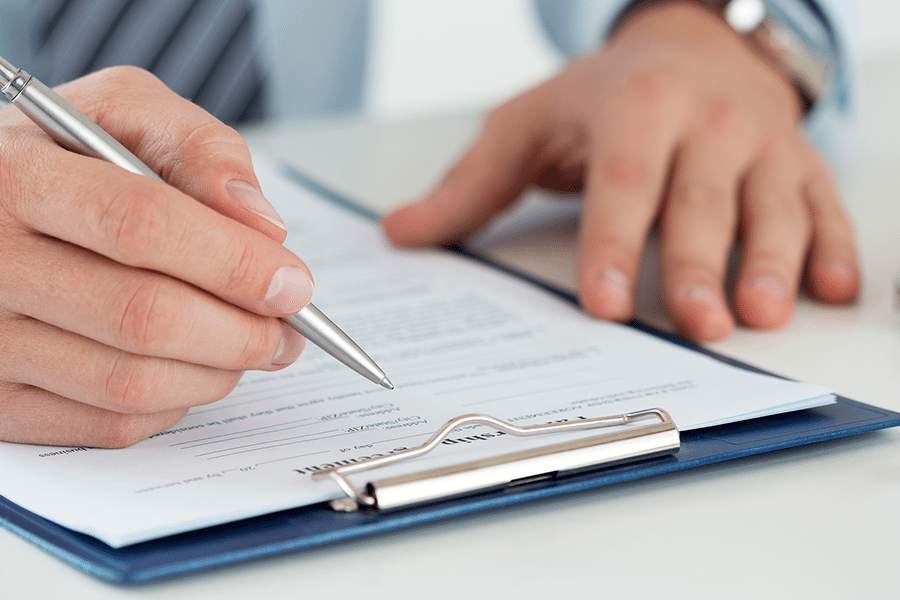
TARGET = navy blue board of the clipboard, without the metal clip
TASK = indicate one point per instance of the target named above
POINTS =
(315, 526)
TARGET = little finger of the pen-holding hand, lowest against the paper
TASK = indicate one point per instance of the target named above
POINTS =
(35, 416)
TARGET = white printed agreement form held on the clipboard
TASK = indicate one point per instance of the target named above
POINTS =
(454, 336)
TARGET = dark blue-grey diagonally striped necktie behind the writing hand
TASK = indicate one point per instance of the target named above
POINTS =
(203, 49)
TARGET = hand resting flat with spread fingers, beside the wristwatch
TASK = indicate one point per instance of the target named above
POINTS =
(678, 120)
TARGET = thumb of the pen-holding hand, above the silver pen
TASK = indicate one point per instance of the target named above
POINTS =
(187, 146)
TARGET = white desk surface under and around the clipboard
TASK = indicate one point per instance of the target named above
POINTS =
(819, 522)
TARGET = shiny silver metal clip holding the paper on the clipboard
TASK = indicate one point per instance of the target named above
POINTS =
(508, 469)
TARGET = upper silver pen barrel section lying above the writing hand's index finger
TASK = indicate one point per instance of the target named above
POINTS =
(72, 130)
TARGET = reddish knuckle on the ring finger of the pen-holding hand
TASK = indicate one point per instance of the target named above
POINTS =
(132, 383)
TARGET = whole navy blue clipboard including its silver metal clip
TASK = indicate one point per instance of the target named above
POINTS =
(649, 445)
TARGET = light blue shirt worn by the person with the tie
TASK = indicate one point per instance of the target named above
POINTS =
(314, 50)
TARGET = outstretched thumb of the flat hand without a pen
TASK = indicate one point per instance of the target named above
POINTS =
(490, 176)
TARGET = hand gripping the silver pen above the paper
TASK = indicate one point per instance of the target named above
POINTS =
(124, 301)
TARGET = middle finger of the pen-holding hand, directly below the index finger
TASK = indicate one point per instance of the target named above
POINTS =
(140, 312)
